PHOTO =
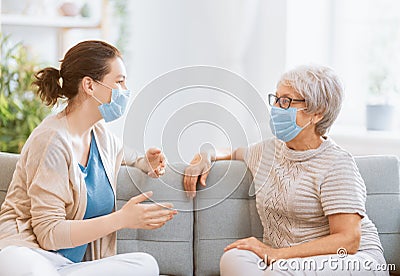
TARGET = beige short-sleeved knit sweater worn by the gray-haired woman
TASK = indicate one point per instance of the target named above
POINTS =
(297, 190)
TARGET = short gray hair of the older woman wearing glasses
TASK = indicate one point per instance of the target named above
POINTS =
(322, 90)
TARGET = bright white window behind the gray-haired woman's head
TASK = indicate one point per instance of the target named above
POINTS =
(360, 39)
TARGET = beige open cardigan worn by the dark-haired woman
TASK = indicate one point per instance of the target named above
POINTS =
(48, 190)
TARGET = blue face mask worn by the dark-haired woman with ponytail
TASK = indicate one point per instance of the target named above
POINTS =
(117, 106)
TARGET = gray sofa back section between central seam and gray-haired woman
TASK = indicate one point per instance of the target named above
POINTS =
(224, 213)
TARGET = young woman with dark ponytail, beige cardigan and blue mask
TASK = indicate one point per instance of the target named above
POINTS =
(61, 202)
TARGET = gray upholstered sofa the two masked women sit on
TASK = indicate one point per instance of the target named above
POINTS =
(192, 243)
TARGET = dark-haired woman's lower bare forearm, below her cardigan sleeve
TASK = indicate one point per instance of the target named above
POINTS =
(85, 231)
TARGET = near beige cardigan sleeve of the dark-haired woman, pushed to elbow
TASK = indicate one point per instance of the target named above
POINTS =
(49, 190)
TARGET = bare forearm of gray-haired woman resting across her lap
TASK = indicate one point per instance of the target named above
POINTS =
(322, 246)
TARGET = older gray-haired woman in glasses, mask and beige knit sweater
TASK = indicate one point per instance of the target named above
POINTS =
(310, 195)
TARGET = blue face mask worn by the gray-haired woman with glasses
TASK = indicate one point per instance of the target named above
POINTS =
(283, 123)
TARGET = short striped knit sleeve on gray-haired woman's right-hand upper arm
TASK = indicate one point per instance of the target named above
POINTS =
(343, 190)
